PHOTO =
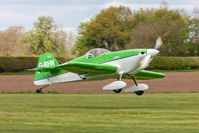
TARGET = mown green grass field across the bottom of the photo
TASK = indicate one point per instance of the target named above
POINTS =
(99, 113)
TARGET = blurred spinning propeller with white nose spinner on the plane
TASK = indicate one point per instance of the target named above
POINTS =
(150, 54)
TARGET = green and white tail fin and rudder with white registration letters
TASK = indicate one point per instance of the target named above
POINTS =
(47, 61)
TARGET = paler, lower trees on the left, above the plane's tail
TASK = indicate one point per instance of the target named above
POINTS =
(45, 36)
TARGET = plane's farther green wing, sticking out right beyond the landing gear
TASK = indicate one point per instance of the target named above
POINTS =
(146, 75)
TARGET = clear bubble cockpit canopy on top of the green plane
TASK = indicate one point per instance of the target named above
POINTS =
(95, 52)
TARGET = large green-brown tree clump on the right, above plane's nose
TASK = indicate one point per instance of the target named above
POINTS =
(118, 28)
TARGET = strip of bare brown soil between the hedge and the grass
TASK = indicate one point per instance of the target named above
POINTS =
(173, 82)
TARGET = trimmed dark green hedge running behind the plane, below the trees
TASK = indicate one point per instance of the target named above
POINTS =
(16, 64)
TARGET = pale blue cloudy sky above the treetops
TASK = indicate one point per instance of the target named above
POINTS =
(69, 13)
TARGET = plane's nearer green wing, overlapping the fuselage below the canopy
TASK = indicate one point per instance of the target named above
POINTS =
(83, 68)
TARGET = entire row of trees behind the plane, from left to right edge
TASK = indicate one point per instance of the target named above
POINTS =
(115, 28)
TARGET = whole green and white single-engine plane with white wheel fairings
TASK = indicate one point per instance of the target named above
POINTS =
(99, 64)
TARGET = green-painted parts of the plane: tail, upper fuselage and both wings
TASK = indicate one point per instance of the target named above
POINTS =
(49, 67)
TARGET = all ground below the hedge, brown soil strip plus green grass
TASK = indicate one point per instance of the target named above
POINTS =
(74, 112)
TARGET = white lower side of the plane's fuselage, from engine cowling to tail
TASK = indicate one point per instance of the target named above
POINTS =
(125, 65)
